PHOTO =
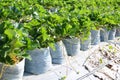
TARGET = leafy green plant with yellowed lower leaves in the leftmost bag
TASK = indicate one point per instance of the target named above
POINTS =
(13, 43)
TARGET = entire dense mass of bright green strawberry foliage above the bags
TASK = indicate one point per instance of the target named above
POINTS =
(28, 24)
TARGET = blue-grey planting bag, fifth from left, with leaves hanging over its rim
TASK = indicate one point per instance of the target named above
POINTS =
(85, 44)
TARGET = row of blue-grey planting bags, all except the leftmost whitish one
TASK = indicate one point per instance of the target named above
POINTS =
(43, 58)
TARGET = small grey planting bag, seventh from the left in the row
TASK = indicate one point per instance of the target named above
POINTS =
(104, 33)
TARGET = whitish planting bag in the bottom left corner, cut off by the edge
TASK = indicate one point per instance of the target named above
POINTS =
(12, 72)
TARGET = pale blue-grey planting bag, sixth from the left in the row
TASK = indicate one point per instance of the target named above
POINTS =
(95, 37)
